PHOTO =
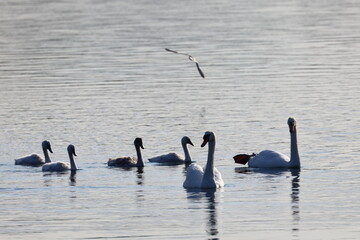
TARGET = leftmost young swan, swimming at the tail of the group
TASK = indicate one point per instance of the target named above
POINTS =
(35, 159)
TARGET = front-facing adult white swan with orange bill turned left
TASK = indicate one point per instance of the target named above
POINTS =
(209, 176)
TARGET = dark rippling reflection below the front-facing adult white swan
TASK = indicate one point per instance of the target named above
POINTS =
(212, 220)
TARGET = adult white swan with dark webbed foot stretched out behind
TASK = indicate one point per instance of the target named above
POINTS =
(272, 159)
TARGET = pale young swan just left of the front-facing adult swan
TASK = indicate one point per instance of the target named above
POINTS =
(175, 158)
